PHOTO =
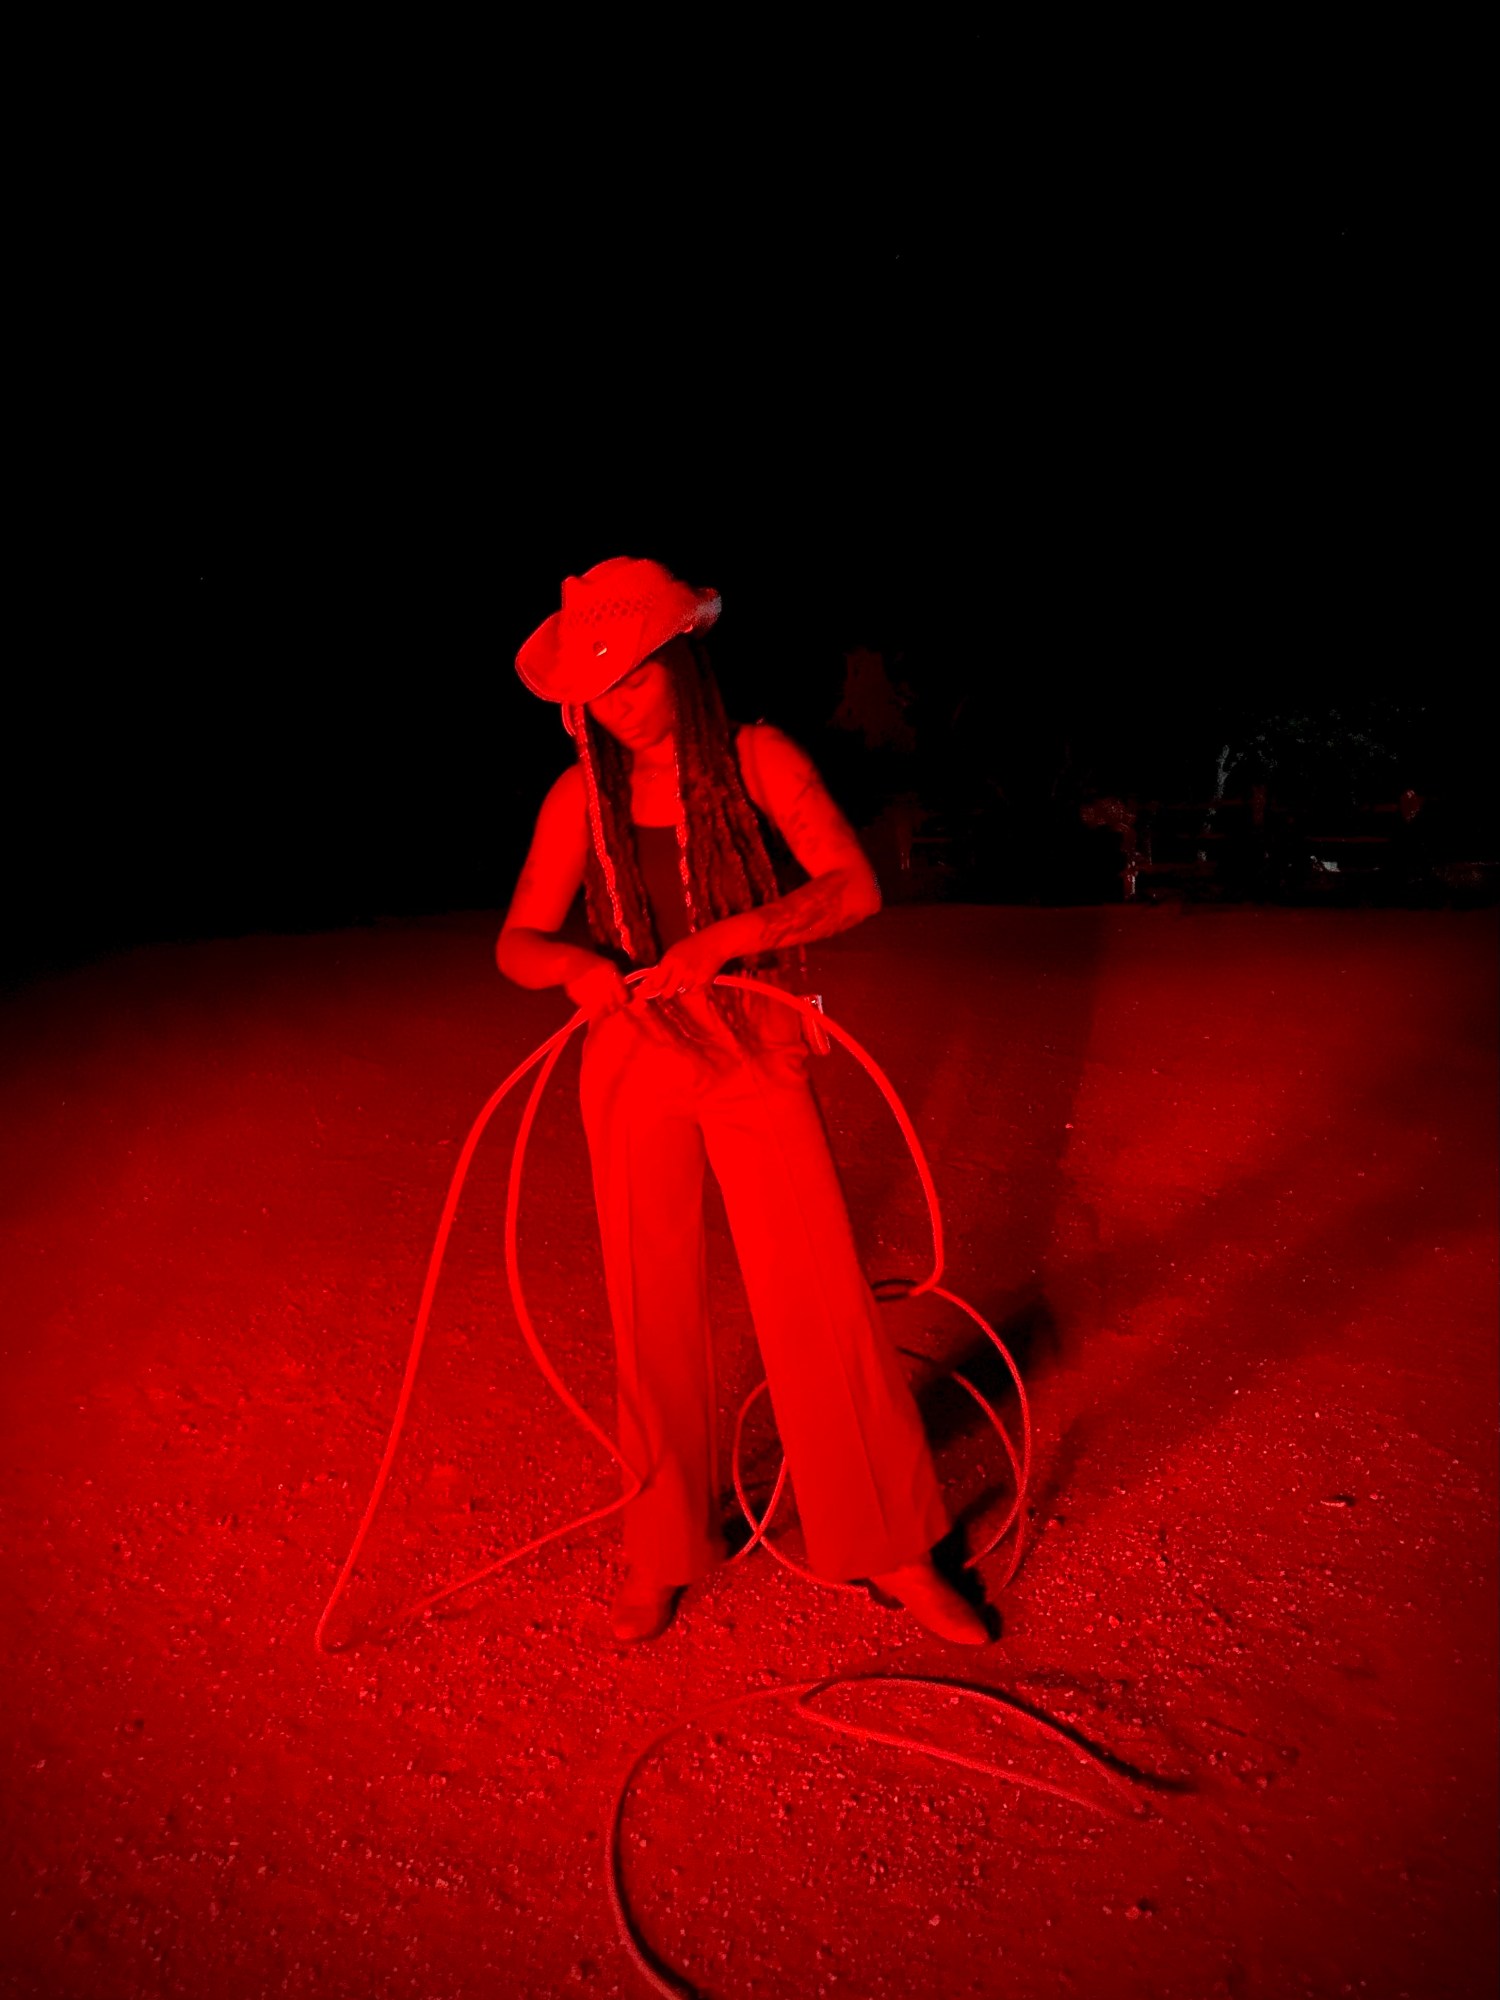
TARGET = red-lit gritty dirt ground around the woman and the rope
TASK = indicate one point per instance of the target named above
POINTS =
(1227, 1181)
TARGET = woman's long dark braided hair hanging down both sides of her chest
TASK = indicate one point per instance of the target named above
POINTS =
(723, 857)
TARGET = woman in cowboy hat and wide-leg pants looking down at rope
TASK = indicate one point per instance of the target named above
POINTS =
(659, 823)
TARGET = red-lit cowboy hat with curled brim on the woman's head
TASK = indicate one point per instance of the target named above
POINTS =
(613, 617)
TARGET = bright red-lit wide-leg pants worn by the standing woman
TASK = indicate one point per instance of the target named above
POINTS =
(857, 1455)
